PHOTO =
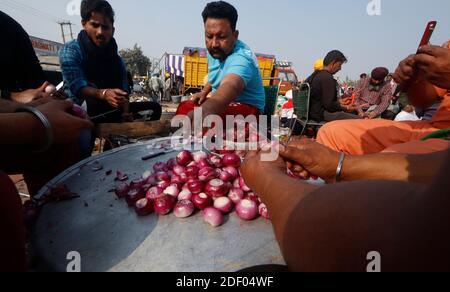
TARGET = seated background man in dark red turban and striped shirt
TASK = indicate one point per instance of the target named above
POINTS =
(373, 95)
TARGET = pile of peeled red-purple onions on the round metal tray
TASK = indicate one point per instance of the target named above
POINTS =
(190, 182)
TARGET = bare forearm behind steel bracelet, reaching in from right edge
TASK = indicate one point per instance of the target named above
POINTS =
(399, 167)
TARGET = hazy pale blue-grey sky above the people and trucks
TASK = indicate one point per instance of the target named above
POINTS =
(293, 30)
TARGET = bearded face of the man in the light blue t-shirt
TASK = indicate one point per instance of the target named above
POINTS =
(220, 38)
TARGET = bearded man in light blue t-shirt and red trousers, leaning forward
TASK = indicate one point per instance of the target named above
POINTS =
(234, 77)
